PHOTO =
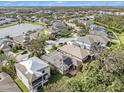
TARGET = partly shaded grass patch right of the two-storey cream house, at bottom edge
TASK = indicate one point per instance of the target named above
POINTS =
(56, 83)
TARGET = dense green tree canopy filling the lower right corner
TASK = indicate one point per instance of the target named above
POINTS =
(103, 74)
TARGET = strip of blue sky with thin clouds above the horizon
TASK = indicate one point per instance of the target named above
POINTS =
(61, 3)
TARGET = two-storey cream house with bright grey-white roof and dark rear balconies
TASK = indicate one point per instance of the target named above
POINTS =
(33, 72)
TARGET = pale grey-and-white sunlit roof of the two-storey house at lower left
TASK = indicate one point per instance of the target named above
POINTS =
(32, 67)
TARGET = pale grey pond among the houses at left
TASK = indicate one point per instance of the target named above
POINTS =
(17, 30)
